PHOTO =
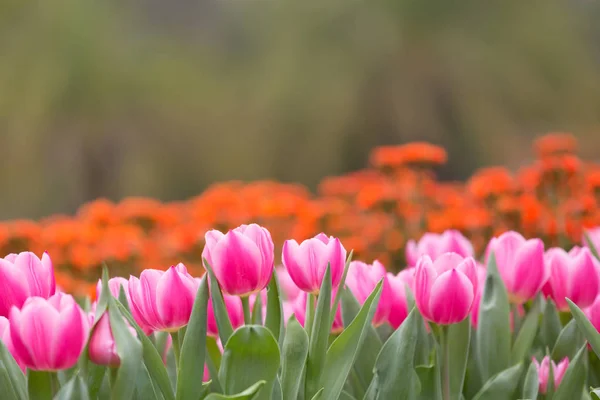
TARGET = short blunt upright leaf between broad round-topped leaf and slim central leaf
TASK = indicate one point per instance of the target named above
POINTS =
(295, 351)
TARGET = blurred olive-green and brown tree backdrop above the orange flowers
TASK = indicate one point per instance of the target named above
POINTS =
(162, 98)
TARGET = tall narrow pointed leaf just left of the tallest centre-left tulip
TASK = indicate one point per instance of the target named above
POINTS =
(193, 349)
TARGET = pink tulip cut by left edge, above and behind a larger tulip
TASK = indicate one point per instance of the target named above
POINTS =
(24, 275)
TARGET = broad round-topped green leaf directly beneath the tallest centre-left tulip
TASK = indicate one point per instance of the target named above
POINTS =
(251, 354)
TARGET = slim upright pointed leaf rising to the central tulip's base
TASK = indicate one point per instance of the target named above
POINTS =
(319, 337)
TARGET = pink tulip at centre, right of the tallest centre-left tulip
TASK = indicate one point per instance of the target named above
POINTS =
(307, 262)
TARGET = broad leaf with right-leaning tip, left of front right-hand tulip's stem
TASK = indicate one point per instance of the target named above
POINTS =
(396, 377)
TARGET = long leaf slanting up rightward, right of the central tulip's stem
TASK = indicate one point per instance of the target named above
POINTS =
(344, 350)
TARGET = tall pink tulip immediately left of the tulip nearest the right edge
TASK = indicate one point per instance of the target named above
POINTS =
(520, 264)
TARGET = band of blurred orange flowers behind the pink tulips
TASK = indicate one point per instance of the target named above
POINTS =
(373, 211)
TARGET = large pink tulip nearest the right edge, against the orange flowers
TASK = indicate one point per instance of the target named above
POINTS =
(572, 275)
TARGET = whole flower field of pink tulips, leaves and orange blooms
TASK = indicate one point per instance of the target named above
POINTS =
(417, 289)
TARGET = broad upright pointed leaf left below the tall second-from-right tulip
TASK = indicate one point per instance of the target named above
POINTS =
(493, 334)
